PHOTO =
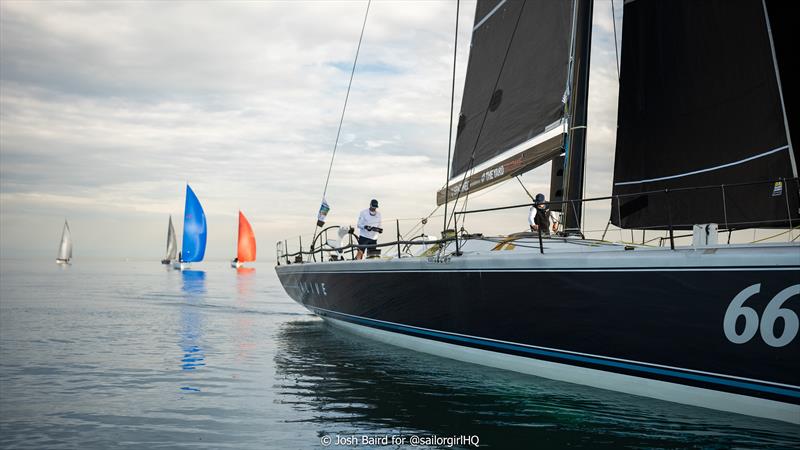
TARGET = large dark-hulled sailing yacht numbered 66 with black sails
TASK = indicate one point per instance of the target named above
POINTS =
(703, 144)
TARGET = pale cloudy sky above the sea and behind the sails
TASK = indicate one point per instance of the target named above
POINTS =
(108, 109)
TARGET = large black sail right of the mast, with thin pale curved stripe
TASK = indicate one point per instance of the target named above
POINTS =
(700, 105)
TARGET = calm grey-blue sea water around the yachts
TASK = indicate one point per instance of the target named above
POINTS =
(130, 354)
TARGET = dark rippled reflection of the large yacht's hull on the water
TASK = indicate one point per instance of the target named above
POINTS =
(348, 385)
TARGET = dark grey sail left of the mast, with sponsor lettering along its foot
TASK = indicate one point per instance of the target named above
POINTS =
(514, 91)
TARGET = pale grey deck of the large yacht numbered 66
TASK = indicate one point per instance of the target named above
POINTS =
(526, 251)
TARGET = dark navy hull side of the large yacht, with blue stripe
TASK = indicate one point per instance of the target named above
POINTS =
(663, 324)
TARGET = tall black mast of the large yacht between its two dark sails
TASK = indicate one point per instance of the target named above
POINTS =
(577, 110)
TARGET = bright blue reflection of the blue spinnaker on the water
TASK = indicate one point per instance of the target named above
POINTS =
(194, 289)
